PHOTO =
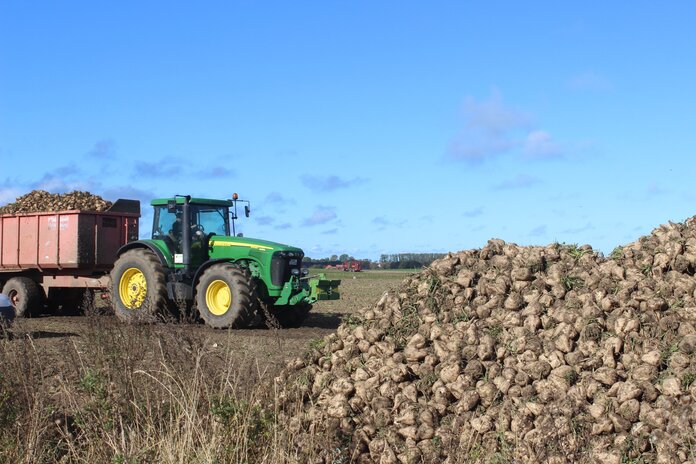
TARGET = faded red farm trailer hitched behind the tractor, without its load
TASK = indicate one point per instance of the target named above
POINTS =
(49, 259)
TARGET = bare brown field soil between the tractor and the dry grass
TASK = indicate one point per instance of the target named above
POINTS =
(258, 352)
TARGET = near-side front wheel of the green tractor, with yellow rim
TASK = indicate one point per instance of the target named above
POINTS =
(226, 297)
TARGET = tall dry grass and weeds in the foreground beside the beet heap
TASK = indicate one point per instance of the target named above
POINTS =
(133, 395)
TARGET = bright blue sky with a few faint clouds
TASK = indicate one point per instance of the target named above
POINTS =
(362, 127)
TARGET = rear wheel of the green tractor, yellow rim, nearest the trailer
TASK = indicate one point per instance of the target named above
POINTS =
(138, 289)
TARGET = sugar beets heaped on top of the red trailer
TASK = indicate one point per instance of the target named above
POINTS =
(41, 200)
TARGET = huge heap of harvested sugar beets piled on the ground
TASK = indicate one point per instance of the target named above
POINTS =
(512, 354)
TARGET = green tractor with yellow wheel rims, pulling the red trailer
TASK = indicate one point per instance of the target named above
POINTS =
(192, 260)
